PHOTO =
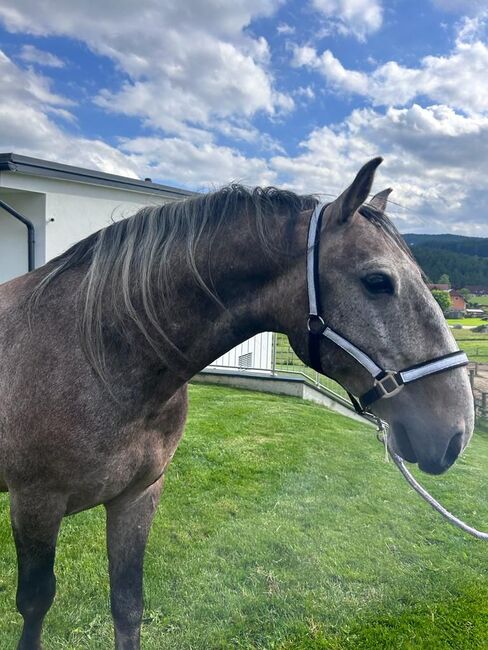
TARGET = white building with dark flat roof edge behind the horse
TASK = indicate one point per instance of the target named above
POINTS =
(45, 207)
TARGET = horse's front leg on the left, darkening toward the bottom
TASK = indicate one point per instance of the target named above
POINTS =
(36, 517)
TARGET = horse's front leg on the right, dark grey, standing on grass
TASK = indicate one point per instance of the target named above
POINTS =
(128, 524)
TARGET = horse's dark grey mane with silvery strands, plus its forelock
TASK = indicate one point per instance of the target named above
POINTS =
(127, 266)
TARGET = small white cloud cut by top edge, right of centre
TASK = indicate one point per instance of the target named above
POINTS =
(357, 17)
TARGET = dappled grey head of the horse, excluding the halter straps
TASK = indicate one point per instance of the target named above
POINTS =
(372, 292)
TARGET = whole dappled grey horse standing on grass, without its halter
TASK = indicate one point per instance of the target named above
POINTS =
(98, 346)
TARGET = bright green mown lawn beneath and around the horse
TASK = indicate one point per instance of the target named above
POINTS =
(281, 528)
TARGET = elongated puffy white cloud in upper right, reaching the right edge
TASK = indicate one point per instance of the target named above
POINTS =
(458, 79)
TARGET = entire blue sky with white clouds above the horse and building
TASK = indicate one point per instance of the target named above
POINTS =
(293, 93)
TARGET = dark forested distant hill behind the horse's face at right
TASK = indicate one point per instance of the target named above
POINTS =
(464, 259)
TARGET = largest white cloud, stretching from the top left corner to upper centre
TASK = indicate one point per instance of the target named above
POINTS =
(188, 65)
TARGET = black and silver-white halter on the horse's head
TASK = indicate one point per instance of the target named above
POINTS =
(387, 383)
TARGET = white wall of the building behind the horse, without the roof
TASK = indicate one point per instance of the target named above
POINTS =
(64, 212)
